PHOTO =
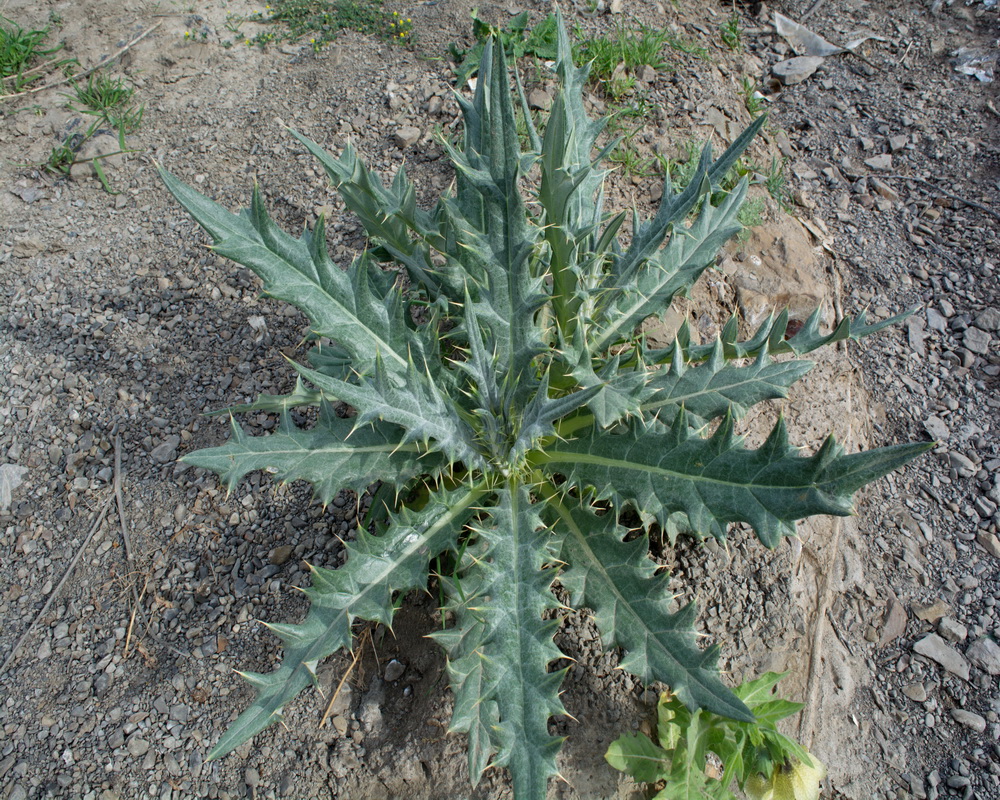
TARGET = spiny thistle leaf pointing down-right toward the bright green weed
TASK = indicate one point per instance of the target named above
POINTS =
(618, 581)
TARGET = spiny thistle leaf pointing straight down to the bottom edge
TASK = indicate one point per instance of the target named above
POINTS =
(500, 645)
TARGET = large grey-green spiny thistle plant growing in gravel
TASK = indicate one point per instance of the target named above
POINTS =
(498, 395)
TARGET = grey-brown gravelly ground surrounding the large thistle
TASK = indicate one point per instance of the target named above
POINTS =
(118, 330)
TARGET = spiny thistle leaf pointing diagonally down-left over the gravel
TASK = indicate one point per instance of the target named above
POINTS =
(377, 566)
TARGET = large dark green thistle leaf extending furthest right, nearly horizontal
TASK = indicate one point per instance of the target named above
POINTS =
(715, 481)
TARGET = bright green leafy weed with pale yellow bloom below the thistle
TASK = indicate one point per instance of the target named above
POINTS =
(754, 755)
